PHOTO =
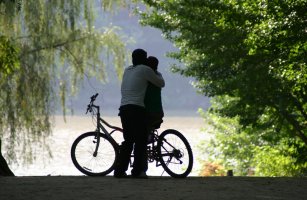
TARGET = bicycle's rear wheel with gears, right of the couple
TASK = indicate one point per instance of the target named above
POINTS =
(175, 153)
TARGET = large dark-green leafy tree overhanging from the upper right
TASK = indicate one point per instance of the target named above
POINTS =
(251, 55)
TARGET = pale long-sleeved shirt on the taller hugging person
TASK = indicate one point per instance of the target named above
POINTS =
(134, 84)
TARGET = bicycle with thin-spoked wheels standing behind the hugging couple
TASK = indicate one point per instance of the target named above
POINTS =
(95, 153)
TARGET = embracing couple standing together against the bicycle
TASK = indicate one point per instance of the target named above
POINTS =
(140, 110)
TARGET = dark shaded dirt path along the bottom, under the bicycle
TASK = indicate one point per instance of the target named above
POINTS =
(160, 188)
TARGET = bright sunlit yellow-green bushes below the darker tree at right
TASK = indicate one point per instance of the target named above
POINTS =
(250, 150)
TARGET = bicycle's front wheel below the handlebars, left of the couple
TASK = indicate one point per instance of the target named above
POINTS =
(86, 161)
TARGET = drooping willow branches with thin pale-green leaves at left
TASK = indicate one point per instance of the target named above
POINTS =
(48, 49)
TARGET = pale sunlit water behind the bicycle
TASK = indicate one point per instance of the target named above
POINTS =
(64, 133)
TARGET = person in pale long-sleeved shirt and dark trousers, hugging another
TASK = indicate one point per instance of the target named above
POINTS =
(133, 115)
